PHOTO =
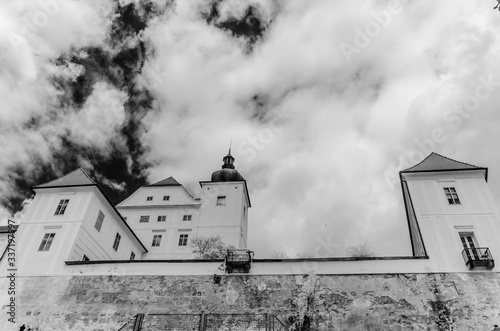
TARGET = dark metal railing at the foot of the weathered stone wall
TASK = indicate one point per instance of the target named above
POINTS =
(205, 322)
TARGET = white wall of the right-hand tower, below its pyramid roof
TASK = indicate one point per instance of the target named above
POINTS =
(441, 223)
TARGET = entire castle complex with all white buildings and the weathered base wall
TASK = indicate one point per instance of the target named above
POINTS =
(85, 264)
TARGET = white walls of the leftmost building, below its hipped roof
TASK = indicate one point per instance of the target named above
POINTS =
(60, 225)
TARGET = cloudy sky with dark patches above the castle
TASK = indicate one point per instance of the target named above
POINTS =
(323, 103)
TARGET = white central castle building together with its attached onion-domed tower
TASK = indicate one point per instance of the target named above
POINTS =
(166, 217)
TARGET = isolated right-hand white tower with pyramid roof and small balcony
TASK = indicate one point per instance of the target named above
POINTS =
(451, 214)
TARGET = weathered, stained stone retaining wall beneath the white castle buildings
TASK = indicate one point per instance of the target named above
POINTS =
(467, 301)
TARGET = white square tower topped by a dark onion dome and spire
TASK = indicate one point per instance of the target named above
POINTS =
(224, 205)
